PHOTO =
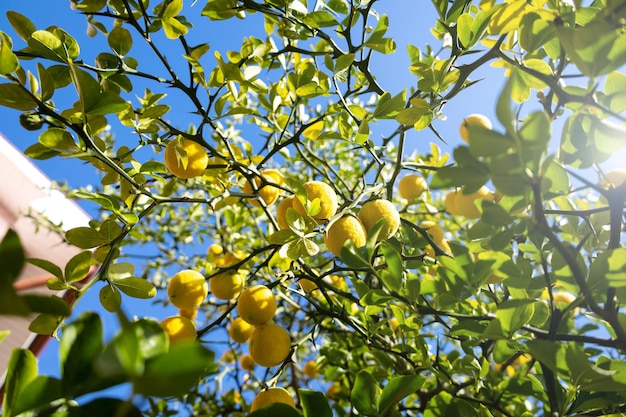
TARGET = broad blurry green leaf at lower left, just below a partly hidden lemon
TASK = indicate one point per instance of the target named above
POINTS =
(176, 372)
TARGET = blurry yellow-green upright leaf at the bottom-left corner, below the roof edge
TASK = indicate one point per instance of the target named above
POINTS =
(21, 371)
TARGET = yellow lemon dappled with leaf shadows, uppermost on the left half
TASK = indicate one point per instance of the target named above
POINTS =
(185, 158)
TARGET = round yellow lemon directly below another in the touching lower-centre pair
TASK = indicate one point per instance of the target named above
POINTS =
(269, 344)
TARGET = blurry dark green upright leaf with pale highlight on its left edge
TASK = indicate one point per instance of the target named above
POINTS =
(81, 342)
